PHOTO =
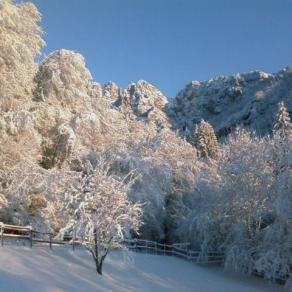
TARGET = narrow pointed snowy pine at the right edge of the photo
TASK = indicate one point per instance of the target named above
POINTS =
(283, 126)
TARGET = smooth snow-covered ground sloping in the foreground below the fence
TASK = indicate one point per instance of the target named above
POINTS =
(61, 269)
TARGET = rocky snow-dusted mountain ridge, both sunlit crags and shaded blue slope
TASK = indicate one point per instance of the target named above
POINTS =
(249, 100)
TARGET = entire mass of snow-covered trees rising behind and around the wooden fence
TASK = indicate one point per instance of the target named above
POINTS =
(112, 162)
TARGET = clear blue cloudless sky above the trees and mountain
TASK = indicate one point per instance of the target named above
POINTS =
(170, 42)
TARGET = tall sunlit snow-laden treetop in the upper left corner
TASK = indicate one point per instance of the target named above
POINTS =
(20, 43)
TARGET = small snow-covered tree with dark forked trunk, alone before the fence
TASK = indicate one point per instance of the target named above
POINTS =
(101, 214)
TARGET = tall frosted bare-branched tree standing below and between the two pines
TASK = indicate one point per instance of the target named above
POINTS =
(247, 194)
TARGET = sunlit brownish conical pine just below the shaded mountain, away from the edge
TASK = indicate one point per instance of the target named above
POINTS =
(206, 140)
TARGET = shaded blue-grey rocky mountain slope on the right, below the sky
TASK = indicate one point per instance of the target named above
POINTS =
(249, 100)
